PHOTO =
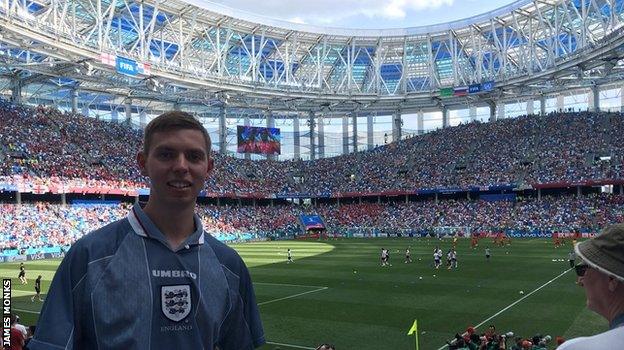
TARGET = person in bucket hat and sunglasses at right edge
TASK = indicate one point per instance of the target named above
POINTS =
(601, 273)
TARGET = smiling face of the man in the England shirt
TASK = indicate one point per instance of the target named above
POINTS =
(177, 164)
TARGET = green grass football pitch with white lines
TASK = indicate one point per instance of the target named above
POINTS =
(337, 292)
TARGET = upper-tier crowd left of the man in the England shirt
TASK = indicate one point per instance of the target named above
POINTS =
(43, 146)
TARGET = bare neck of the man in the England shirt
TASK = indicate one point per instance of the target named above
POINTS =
(175, 223)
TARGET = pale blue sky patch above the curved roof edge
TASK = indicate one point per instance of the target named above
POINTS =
(369, 14)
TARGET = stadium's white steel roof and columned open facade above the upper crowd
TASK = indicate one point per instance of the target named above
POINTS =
(331, 91)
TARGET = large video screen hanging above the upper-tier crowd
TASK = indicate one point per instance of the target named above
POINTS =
(253, 139)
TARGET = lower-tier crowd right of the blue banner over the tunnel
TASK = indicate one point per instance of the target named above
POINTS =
(550, 214)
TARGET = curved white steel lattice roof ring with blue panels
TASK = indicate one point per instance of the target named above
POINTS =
(202, 54)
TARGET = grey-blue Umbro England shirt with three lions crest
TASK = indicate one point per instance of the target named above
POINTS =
(123, 287)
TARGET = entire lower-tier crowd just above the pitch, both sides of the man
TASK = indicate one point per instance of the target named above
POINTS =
(42, 224)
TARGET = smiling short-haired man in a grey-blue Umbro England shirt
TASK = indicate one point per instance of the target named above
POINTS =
(155, 280)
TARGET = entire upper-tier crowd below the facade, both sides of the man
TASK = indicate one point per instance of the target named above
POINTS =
(43, 145)
